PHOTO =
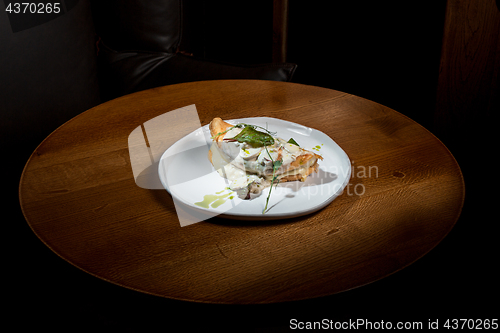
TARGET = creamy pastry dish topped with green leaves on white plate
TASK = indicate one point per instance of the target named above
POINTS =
(253, 158)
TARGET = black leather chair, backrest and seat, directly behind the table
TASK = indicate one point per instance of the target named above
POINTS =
(140, 48)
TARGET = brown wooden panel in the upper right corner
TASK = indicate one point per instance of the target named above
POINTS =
(468, 92)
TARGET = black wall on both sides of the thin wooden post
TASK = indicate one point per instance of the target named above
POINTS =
(385, 51)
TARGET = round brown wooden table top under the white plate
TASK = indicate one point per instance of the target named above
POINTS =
(79, 196)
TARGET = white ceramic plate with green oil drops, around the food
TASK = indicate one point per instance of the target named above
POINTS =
(187, 174)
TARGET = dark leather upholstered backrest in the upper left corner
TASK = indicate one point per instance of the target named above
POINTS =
(48, 72)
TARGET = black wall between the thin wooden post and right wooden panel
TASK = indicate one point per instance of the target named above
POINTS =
(384, 51)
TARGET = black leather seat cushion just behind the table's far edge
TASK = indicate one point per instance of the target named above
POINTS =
(126, 72)
